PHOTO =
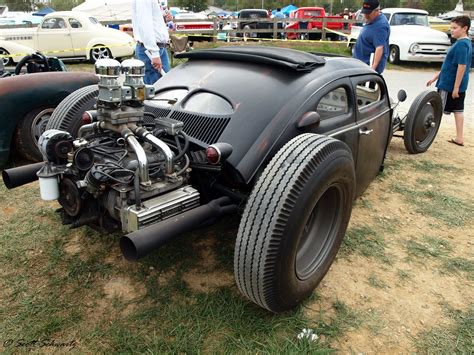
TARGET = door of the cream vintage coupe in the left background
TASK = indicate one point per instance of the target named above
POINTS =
(54, 37)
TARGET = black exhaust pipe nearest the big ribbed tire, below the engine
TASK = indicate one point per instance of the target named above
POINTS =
(141, 242)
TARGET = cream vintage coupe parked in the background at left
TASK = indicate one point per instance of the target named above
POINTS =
(72, 35)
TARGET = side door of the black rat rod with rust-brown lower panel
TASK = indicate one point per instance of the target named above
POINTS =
(373, 126)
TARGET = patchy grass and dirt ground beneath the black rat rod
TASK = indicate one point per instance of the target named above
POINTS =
(402, 281)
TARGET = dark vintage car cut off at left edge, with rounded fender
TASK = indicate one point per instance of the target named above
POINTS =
(26, 103)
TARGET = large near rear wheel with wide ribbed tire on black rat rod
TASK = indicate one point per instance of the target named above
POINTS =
(294, 222)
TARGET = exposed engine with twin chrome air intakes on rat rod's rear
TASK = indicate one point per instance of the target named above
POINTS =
(118, 173)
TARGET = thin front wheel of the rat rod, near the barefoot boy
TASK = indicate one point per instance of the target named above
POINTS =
(423, 121)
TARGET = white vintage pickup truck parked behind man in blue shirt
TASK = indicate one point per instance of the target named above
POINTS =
(411, 38)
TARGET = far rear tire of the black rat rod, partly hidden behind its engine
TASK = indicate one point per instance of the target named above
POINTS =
(68, 115)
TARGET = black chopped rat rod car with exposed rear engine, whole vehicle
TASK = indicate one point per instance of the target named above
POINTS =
(293, 137)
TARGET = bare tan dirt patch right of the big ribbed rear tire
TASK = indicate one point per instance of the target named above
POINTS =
(408, 291)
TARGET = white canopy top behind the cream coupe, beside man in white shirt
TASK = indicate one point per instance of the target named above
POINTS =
(107, 10)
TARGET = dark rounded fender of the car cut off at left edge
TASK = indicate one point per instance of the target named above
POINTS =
(23, 93)
